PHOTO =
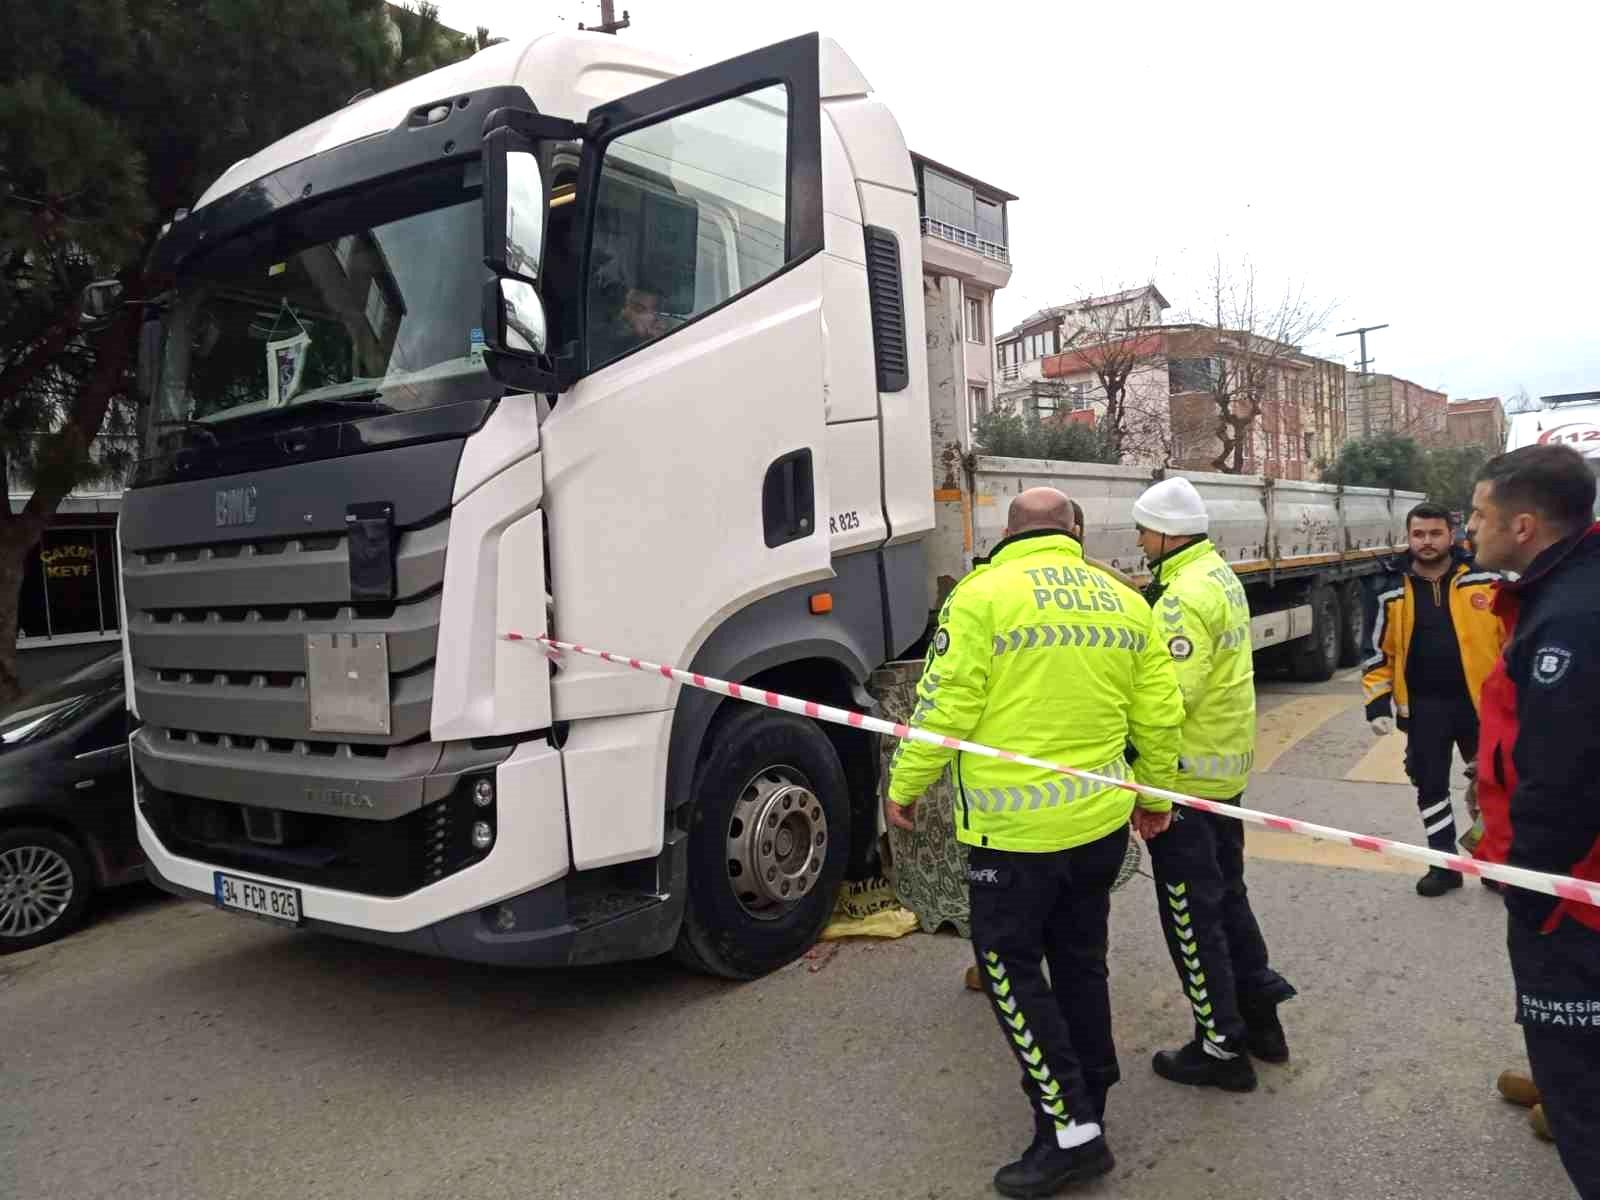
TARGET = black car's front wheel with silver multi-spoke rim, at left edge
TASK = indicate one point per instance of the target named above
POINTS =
(46, 887)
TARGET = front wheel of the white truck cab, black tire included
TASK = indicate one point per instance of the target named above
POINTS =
(769, 844)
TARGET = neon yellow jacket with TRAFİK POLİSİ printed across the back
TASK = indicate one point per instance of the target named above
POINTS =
(1042, 655)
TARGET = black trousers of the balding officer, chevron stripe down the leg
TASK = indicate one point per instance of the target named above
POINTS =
(1036, 908)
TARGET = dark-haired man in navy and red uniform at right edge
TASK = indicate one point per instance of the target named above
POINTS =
(1540, 770)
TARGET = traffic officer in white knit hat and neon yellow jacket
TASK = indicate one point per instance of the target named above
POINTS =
(1202, 622)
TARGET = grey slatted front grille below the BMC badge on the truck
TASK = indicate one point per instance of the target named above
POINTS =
(218, 634)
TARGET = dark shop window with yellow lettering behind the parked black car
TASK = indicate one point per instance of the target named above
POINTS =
(70, 586)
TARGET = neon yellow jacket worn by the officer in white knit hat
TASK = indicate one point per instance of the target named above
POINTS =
(1202, 620)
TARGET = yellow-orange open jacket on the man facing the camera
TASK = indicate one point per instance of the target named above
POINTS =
(1479, 634)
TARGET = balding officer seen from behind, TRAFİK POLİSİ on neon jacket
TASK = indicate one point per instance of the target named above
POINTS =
(1047, 657)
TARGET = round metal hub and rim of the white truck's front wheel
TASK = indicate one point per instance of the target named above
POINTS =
(777, 842)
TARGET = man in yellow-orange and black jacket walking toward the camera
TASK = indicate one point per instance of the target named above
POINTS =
(1434, 644)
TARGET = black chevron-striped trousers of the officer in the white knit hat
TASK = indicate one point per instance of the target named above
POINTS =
(1212, 932)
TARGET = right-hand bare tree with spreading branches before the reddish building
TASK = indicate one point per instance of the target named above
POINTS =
(1246, 343)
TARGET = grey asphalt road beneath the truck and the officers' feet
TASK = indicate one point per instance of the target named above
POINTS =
(170, 1050)
